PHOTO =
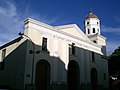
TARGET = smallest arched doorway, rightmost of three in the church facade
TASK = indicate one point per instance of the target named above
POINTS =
(94, 79)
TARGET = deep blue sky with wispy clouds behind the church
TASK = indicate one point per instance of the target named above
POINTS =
(60, 12)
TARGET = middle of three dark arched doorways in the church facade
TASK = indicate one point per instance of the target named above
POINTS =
(73, 76)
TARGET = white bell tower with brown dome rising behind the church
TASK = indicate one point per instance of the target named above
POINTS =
(92, 30)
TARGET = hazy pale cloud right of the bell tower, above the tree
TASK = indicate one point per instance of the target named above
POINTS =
(112, 35)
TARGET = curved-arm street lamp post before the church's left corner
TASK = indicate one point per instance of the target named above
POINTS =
(33, 52)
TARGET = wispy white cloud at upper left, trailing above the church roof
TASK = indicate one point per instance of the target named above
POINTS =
(11, 20)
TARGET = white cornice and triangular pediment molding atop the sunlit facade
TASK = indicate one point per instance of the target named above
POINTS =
(90, 45)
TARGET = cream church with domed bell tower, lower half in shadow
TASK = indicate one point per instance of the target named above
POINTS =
(64, 57)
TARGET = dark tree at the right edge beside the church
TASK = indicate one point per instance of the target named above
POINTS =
(114, 69)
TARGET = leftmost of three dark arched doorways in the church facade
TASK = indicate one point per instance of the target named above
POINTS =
(42, 75)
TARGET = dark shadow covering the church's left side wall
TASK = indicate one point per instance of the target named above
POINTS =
(12, 74)
